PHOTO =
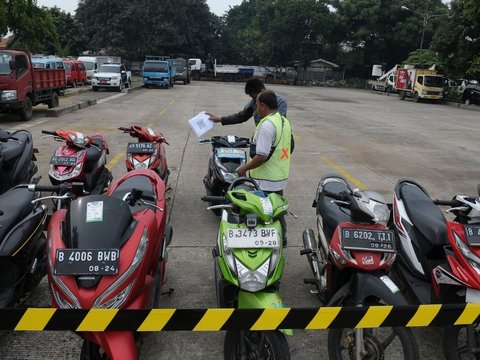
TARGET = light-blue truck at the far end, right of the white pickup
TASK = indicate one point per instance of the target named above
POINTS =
(158, 71)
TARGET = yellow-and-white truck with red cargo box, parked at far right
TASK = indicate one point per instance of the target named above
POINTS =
(419, 84)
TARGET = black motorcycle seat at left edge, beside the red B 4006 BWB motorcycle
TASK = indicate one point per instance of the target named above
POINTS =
(14, 205)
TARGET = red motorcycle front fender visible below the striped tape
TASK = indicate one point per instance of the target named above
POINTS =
(117, 344)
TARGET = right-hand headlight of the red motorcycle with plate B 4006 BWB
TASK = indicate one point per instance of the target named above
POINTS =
(118, 300)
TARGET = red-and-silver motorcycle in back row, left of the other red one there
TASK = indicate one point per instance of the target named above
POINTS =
(82, 159)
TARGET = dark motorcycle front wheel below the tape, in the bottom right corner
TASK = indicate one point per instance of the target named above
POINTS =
(462, 342)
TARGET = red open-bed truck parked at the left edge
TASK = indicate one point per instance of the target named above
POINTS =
(22, 86)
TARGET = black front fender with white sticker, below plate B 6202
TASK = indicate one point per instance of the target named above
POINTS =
(364, 285)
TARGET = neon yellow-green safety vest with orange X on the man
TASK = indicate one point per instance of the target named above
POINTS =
(277, 168)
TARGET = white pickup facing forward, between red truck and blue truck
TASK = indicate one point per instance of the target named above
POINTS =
(112, 76)
